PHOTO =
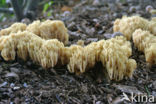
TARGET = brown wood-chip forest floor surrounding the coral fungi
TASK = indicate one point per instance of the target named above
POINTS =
(27, 83)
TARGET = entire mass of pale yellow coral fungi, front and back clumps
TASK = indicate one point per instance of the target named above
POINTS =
(43, 42)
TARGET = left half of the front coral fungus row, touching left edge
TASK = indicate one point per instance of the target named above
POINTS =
(27, 44)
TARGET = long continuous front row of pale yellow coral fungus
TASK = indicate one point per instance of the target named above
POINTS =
(113, 53)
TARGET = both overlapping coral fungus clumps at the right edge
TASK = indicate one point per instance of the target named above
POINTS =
(143, 33)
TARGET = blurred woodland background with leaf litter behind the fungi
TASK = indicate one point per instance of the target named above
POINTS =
(83, 18)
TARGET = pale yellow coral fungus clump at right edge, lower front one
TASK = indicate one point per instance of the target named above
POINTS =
(146, 42)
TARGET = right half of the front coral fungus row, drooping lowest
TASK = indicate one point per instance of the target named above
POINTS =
(113, 53)
